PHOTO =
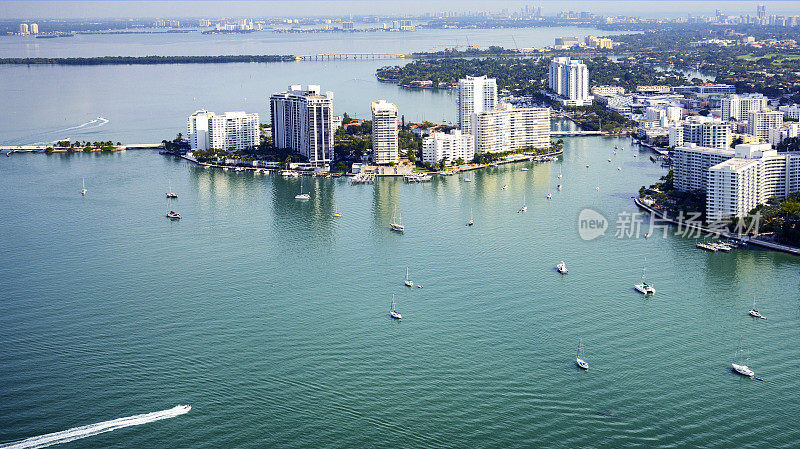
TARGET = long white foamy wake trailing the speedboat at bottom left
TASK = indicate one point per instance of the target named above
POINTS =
(77, 433)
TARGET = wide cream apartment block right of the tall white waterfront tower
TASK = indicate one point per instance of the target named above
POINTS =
(507, 128)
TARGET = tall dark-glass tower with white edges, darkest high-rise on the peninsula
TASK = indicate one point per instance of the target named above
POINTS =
(302, 120)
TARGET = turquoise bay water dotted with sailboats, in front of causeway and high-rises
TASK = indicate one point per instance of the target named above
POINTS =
(271, 318)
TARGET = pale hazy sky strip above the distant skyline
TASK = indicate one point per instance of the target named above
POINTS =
(291, 8)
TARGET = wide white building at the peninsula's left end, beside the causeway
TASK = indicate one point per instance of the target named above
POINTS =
(235, 131)
